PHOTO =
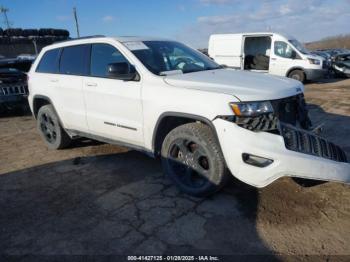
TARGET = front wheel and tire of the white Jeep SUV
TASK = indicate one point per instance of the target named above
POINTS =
(192, 158)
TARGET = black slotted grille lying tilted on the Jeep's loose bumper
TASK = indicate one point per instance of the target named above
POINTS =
(302, 141)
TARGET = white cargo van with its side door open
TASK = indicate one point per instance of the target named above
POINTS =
(266, 52)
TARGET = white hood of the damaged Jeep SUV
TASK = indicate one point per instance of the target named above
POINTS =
(246, 86)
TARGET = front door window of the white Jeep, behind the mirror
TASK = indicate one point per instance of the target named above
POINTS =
(101, 56)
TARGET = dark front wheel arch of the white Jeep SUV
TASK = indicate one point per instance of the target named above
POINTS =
(167, 121)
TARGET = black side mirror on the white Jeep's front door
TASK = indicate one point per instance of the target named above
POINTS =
(123, 71)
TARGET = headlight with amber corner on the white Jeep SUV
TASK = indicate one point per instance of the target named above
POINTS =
(251, 108)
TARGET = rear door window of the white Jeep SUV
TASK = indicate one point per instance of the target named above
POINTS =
(74, 60)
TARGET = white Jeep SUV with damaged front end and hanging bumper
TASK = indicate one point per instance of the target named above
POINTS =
(164, 98)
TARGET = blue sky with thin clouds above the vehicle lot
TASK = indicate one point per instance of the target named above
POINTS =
(191, 21)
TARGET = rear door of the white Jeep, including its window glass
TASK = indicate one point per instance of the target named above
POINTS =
(69, 97)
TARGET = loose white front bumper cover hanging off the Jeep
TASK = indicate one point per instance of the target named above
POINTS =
(235, 141)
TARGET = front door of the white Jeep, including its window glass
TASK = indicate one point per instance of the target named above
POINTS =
(114, 108)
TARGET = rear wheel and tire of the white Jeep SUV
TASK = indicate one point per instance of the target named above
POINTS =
(50, 129)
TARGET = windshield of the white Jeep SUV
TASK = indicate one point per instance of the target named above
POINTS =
(166, 57)
